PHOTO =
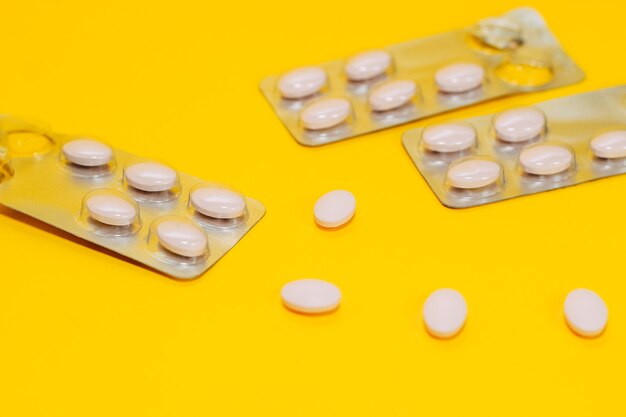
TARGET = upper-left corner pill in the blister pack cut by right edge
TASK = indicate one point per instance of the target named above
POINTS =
(449, 137)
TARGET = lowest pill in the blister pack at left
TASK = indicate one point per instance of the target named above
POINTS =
(182, 238)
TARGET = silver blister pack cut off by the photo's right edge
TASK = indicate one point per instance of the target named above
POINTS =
(520, 151)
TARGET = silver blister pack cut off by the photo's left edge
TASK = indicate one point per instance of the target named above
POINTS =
(142, 209)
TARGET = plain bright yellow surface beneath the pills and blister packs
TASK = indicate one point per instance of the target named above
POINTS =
(86, 334)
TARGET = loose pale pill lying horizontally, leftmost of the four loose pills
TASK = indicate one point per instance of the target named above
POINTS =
(310, 296)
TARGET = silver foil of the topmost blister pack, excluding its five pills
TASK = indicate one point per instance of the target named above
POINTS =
(418, 60)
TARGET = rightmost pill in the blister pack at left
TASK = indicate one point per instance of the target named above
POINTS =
(219, 203)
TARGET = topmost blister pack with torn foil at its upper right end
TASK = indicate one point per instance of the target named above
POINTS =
(377, 89)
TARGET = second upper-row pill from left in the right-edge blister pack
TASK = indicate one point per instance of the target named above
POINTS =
(519, 125)
